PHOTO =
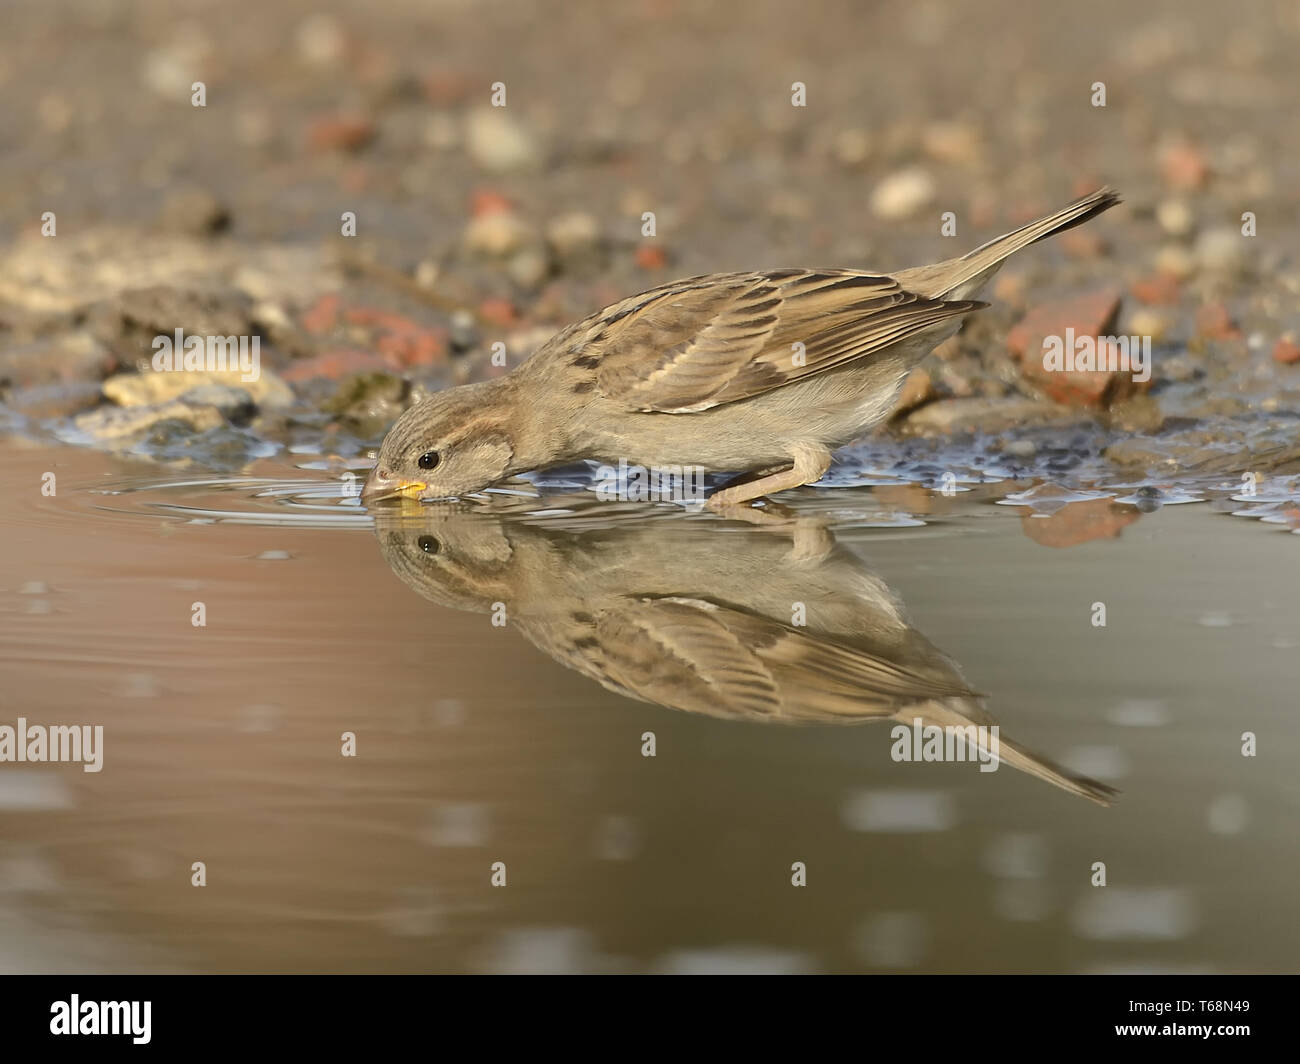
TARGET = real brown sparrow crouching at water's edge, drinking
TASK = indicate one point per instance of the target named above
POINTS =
(762, 374)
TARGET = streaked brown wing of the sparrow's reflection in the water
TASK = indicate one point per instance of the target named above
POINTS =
(712, 659)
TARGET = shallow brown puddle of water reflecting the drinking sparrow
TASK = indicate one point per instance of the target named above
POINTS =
(505, 667)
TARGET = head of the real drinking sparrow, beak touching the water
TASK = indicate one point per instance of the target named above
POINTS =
(452, 444)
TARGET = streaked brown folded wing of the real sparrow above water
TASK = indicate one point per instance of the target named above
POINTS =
(705, 341)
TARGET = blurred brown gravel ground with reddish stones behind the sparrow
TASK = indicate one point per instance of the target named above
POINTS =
(480, 226)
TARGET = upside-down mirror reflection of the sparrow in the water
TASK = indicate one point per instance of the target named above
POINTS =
(727, 622)
